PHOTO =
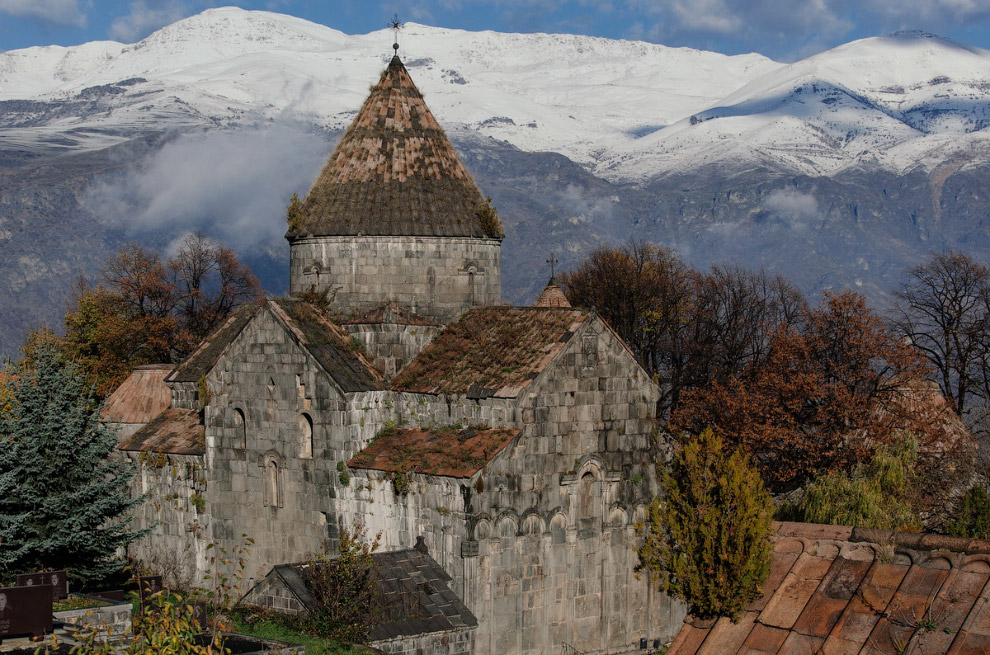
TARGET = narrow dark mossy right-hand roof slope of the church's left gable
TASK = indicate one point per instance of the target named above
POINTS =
(328, 344)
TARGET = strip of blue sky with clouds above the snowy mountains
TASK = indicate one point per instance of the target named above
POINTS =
(776, 28)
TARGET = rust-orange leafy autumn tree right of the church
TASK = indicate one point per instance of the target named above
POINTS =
(825, 395)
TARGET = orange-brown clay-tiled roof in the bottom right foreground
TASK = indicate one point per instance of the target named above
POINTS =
(837, 590)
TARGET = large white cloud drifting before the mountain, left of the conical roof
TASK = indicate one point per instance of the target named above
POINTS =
(232, 185)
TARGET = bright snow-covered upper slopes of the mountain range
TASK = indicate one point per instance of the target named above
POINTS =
(628, 111)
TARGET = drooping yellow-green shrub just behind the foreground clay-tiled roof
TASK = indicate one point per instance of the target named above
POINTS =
(871, 496)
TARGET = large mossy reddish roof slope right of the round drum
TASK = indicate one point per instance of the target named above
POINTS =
(491, 351)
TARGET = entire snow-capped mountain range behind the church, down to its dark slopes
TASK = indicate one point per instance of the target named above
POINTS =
(841, 170)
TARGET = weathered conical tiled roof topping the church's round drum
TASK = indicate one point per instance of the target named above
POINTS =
(394, 173)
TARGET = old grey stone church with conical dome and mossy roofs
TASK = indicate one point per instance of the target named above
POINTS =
(513, 447)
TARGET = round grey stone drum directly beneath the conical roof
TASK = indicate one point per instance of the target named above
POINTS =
(436, 277)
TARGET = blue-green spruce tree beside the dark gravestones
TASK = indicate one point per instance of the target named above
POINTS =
(63, 498)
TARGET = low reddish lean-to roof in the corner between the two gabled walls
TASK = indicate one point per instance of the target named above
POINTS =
(452, 452)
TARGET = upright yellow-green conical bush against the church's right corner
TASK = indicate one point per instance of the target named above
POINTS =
(709, 539)
